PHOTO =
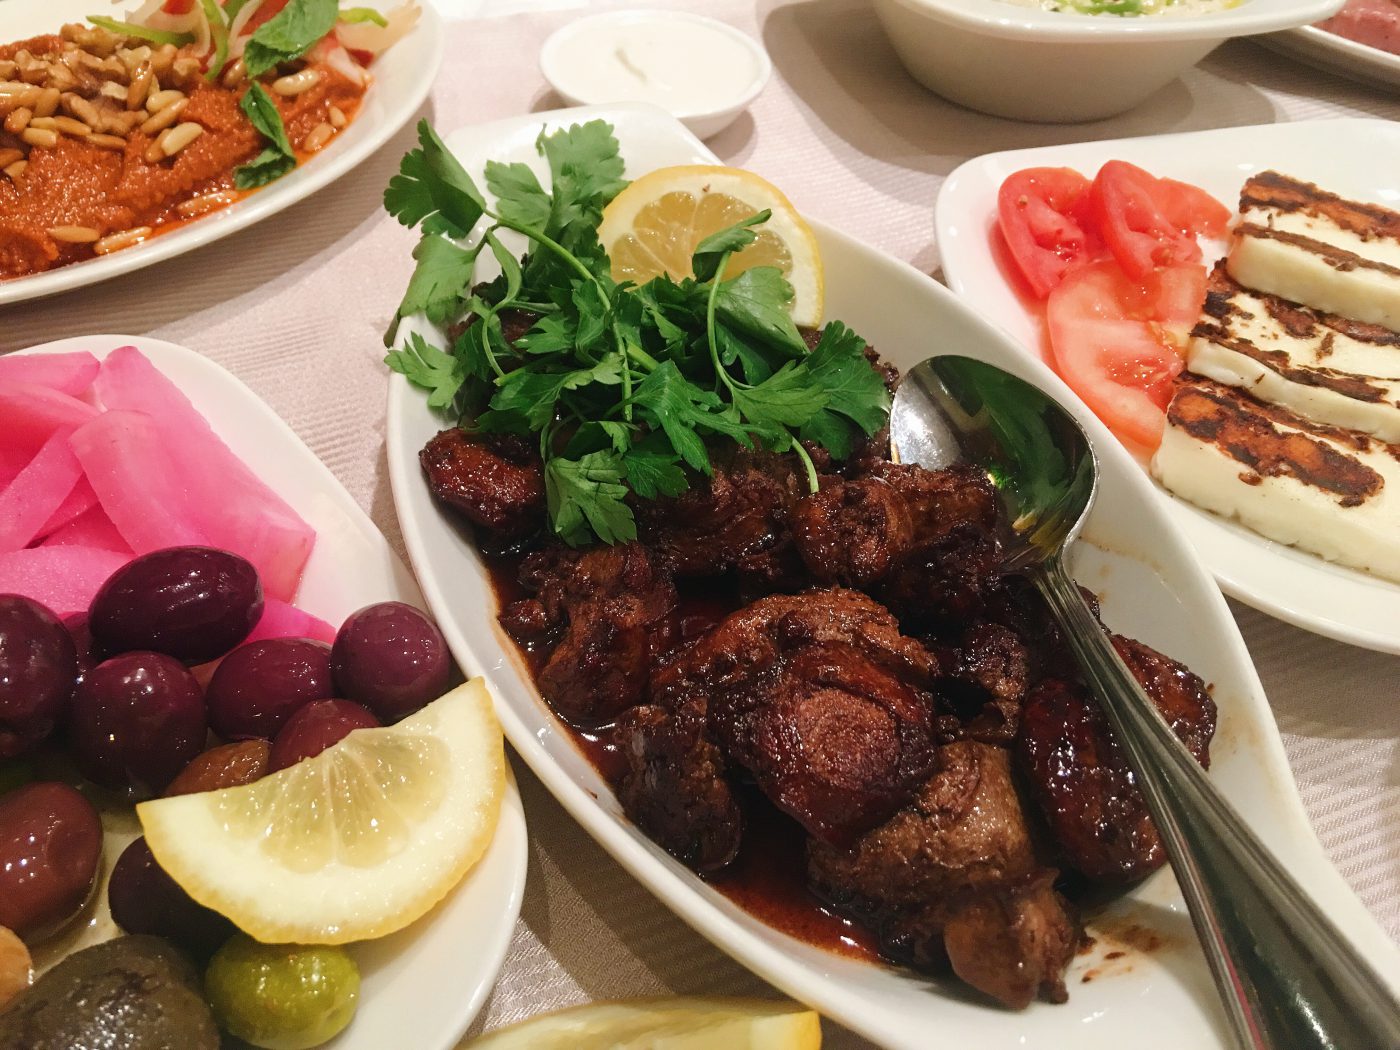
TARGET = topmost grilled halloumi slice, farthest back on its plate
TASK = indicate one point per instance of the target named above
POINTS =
(1315, 248)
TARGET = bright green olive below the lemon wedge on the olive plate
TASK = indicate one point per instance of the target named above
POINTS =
(282, 996)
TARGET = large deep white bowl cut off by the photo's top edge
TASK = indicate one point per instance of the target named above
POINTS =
(1059, 66)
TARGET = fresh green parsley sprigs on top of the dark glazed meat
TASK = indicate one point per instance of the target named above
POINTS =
(621, 386)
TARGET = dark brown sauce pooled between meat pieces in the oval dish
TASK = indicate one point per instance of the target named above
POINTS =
(768, 878)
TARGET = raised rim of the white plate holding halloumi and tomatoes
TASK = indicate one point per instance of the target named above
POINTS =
(1188, 517)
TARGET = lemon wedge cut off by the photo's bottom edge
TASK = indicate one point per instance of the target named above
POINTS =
(666, 1025)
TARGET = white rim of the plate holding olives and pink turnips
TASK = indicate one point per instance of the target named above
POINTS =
(513, 829)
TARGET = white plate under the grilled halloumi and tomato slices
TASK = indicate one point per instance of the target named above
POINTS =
(1286, 583)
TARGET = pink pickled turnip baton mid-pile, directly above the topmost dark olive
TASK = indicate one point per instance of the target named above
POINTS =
(128, 463)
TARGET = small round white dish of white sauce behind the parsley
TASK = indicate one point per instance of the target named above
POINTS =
(573, 61)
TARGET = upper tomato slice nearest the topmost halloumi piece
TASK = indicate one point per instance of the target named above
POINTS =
(1135, 223)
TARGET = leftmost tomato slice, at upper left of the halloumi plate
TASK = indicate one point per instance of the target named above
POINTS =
(1042, 213)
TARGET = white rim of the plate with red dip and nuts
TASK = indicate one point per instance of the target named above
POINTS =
(264, 204)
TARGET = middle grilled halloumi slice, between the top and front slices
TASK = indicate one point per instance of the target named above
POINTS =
(1321, 366)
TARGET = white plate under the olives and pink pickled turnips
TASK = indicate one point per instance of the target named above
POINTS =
(422, 986)
